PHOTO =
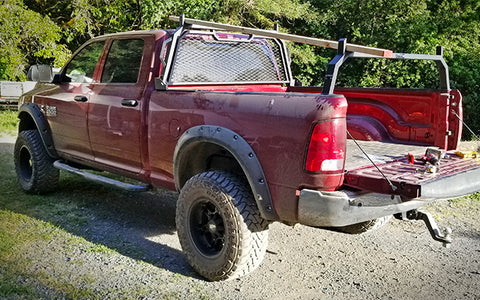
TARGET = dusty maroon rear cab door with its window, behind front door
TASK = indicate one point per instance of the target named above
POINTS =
(115, 112)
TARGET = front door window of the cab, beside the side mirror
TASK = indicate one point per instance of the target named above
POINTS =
(82, 66)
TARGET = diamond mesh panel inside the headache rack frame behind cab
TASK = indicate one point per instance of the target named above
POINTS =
(203, 59)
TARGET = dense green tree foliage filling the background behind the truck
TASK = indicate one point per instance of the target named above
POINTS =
(42, 31)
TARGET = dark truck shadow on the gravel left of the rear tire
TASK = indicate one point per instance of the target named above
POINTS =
(137, 225)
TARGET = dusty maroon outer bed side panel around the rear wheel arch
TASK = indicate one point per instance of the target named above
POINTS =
(275, 125)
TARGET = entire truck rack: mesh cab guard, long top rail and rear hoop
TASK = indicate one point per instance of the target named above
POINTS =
(184, 67)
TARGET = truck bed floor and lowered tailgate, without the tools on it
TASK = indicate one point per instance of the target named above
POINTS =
(452, 178)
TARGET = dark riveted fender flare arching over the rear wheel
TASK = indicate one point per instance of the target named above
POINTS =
(240, 150)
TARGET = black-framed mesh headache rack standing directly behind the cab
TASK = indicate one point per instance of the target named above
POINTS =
(202, 56)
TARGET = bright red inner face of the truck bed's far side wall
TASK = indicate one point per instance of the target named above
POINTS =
(402, 115)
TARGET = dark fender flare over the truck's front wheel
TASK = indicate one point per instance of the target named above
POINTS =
(41, 125)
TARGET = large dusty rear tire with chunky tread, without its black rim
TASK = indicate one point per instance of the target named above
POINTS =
(246, 236)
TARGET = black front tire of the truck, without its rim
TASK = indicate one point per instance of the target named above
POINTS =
(44, 176)
